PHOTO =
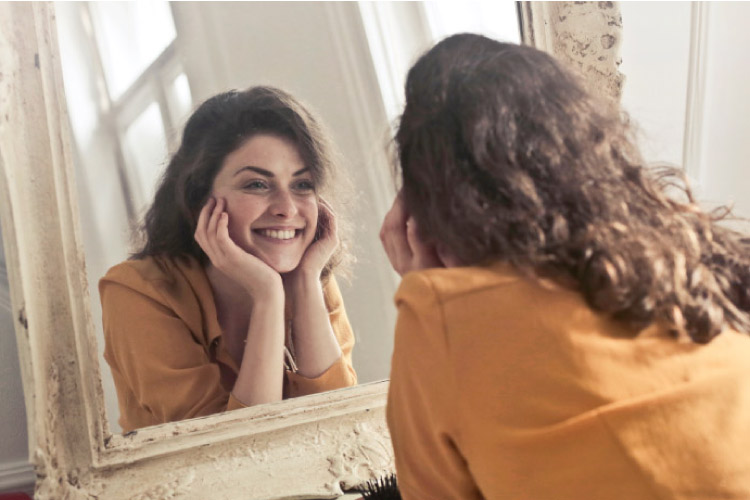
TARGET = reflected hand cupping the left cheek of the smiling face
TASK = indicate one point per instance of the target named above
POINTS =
(212, 234)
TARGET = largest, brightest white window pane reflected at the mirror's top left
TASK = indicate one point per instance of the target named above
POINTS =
(130, 35)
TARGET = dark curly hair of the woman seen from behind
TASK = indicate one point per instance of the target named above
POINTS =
(505, 156)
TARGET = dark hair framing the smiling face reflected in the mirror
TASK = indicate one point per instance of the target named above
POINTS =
(218, 127)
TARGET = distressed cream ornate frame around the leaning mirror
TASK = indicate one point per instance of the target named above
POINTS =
(310, 447)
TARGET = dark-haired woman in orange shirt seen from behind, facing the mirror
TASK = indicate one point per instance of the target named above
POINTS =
(570, 331)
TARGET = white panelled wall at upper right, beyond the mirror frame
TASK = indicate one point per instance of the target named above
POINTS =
(656, 55)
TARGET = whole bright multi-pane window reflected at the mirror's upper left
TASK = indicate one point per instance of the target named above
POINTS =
(125, 54)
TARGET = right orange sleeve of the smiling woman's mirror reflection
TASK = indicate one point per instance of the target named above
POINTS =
(341, 373)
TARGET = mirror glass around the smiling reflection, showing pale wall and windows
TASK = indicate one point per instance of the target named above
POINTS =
(134, 71)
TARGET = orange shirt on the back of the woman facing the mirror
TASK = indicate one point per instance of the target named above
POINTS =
(507, 388)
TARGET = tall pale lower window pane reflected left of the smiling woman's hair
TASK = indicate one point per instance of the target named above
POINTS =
(146, 151)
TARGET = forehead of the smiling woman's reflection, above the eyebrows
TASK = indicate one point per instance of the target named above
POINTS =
(270, 152)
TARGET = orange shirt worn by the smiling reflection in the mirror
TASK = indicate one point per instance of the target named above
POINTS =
(165, 348)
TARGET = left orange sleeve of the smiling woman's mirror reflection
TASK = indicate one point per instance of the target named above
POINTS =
(159, 368)
